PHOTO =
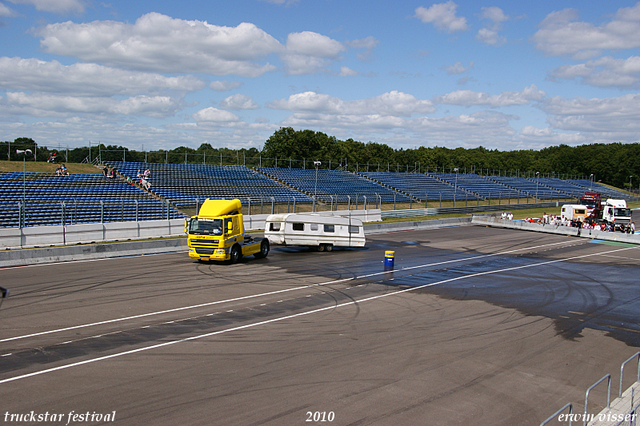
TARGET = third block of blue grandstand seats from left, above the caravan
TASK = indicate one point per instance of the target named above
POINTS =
(334, 185)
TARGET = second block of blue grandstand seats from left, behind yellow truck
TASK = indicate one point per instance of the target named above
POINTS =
(183, 184)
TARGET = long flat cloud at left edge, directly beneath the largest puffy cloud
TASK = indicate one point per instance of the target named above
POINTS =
(87, 79)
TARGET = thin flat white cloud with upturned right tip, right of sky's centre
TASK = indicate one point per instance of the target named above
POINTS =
(469, 98)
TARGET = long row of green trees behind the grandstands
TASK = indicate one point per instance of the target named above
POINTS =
(616, 163)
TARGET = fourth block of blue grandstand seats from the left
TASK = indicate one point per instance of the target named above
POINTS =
(421, 186)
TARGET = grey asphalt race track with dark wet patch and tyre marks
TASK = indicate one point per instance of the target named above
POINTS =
(474, 326)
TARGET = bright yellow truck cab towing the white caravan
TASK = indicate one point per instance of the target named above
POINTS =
(217, 233)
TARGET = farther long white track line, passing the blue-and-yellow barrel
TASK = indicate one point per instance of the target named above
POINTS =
(217, 302)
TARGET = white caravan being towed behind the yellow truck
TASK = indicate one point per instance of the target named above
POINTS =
(314, 230)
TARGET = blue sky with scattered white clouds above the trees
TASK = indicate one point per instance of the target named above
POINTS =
(152, 75)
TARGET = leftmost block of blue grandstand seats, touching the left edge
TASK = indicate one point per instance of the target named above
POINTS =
(47, 199)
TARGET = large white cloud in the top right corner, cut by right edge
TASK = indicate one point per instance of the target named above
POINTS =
(561, 34)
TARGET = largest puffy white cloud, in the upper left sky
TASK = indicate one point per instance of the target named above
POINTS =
(160, 43)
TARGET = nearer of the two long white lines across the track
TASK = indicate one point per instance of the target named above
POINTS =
(300, 314)
